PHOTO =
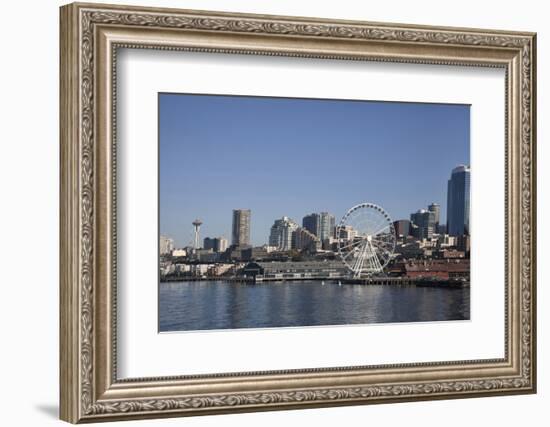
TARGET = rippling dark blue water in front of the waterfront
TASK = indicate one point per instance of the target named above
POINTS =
(186, 306)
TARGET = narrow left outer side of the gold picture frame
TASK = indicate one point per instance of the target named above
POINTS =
(69, 354)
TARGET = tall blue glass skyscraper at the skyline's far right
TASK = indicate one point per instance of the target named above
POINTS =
(458, 201)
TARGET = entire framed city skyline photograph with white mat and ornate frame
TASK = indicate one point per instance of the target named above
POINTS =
(265, 212)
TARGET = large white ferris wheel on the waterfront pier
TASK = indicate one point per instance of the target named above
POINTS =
(366, 239)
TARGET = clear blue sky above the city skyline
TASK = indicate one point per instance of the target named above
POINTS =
(283, 156)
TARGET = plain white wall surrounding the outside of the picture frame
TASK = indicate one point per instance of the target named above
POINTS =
(29, 171)
